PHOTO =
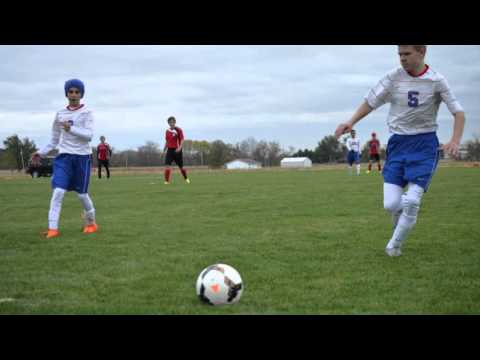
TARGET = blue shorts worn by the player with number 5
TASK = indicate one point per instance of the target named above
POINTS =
(411, 158)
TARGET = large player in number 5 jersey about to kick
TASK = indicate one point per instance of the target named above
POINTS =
(415, 92)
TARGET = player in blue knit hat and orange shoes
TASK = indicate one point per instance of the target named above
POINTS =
(72, 131)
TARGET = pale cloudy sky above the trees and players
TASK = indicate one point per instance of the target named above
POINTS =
(294, 95)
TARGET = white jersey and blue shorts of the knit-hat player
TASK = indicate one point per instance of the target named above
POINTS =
(71, 168)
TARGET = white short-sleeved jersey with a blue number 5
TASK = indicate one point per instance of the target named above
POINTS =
(414, 100)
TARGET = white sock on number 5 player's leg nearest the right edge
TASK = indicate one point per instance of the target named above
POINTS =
(408, 218)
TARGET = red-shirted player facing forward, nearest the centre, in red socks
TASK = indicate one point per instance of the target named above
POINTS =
(173, 145)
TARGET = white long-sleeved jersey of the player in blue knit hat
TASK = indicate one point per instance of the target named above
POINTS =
(76, 141)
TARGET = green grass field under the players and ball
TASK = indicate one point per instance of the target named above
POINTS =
(305, 242)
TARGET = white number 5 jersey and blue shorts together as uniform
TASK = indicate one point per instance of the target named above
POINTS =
(413, 149)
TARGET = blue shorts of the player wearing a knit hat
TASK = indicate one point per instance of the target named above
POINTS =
(72, 172)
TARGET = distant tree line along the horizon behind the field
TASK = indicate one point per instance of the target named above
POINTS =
(17, 152)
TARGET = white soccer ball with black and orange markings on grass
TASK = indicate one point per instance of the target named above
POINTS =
(219, 284)
